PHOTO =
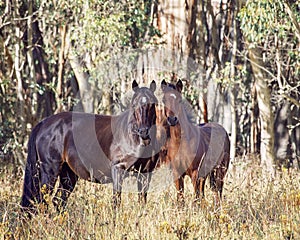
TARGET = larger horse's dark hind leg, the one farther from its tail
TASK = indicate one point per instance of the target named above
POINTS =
(67, 182)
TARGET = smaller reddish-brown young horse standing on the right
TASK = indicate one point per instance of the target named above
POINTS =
(196, 151)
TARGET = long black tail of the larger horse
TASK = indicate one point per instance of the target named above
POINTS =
(31, 178)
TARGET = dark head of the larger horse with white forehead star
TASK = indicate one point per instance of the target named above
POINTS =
(143, 107)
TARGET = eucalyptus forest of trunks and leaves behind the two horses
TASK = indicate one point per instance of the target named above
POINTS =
(70, 55)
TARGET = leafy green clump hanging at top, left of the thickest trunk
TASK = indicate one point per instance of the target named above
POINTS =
(107, 26)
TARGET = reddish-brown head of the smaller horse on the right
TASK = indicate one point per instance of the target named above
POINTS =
(172, 101)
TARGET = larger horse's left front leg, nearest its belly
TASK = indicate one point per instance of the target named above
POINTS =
(118, 172)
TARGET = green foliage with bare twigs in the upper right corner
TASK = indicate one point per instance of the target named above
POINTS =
(267, 26)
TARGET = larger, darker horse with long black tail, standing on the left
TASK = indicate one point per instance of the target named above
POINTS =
(96, 148)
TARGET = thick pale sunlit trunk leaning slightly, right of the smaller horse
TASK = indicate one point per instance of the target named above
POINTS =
(265, 112)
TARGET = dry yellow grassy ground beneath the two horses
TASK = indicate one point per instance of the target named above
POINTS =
(252, 208)
